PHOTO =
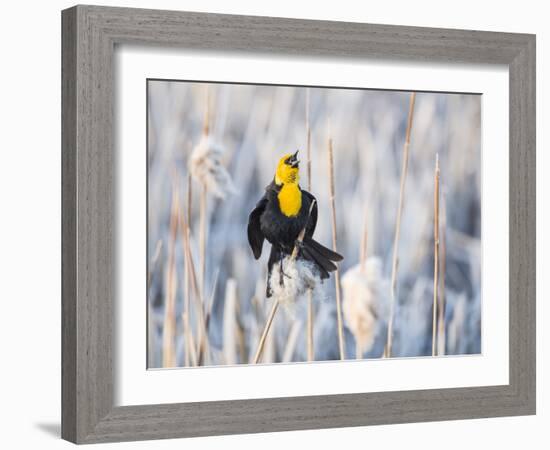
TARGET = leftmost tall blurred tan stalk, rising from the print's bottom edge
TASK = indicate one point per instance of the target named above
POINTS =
(169, 328)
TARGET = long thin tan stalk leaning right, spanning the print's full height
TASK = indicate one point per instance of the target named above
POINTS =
(395, 261)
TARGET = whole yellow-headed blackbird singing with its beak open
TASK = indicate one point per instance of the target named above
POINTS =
(280, 216)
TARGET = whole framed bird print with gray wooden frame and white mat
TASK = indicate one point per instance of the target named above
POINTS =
(277, 224)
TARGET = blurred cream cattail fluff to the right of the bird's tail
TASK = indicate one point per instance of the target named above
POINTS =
(363, 304)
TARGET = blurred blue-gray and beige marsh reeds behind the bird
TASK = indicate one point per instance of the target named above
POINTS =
(212, 149)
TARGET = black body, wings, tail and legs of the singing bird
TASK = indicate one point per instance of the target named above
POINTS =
(267, 221)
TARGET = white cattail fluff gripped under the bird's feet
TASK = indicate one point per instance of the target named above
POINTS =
(299, 276)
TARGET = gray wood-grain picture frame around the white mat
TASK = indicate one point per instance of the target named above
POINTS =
(89, 36)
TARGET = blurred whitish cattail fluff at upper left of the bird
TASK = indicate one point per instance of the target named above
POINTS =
(206, 167)
